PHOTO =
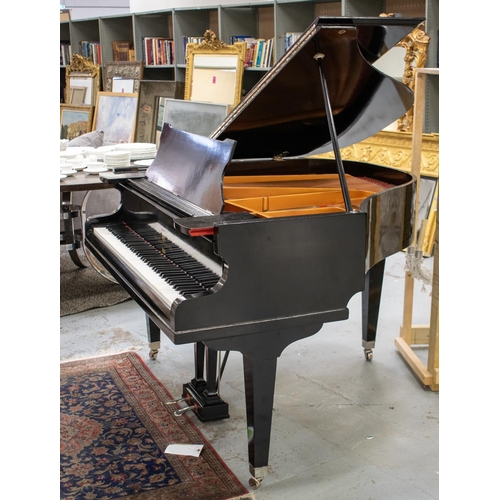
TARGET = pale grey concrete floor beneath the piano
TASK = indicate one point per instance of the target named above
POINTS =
(343, 427)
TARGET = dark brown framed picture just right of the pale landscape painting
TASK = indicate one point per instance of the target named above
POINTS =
(150, 109)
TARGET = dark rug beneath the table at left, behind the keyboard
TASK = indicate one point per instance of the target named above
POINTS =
(82, 289)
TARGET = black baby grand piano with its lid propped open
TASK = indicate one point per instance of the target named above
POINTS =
(241, 242)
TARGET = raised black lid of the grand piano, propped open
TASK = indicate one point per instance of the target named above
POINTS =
(284, 113)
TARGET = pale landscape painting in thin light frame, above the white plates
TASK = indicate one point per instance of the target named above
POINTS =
(115, 114)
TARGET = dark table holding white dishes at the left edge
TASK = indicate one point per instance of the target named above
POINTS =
(71, 237)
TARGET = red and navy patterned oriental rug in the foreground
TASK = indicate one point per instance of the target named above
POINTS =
(115, 428)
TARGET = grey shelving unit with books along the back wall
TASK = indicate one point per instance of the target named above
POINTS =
(266, 20)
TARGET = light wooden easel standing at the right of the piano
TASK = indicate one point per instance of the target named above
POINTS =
(411, 335)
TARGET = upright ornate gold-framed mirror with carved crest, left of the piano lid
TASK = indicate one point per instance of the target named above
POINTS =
(214, 71)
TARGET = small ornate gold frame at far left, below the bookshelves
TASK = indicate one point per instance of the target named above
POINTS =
(83, 73)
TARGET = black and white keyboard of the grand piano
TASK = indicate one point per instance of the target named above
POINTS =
(171, 271)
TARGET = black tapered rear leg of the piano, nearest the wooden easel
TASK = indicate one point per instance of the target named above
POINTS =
(371, 306)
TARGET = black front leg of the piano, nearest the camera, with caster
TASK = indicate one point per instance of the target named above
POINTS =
(260, 374)
